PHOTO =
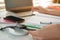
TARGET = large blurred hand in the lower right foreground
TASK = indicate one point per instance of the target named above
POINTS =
(49, 32)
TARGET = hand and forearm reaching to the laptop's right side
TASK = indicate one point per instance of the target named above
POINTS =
(45, 11)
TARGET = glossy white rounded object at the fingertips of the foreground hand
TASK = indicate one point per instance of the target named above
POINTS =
(17, 32)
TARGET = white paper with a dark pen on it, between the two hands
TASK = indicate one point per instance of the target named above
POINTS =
(42, 20)
